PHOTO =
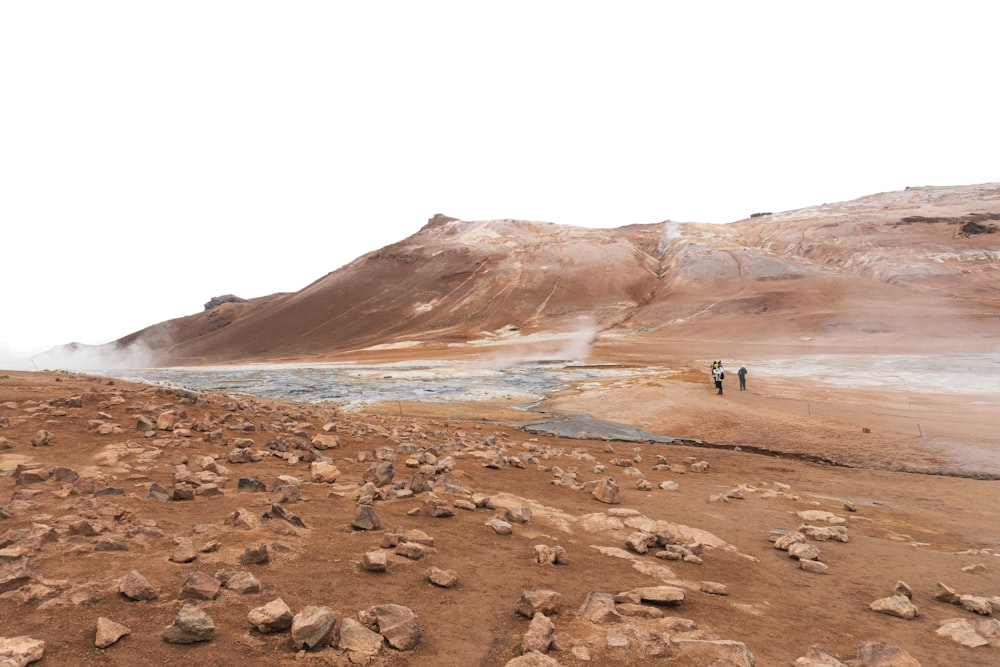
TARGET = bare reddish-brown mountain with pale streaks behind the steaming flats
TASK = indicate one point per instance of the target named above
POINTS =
(908, 269)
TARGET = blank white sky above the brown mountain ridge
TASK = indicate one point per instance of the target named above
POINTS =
(153, 155)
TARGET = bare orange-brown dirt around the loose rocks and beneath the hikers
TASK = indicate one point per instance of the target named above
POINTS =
(918, 528)
